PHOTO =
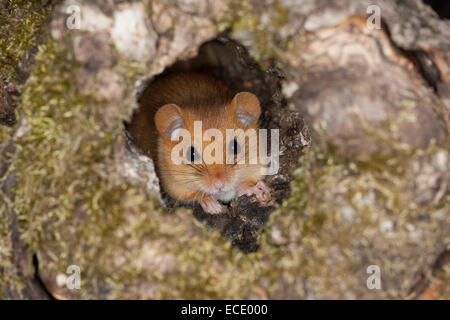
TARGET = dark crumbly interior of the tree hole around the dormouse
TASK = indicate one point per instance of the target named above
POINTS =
(229, 61)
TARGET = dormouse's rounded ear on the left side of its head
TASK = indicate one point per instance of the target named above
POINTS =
(168, 118)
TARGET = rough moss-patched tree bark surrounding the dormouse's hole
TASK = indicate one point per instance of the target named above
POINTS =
(372, 190)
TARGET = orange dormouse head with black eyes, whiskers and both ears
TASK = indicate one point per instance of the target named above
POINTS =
(211, 149)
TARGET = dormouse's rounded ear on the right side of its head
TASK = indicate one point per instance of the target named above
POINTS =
(246, 108)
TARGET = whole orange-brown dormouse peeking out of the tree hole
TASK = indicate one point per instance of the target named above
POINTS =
(181, 101)
